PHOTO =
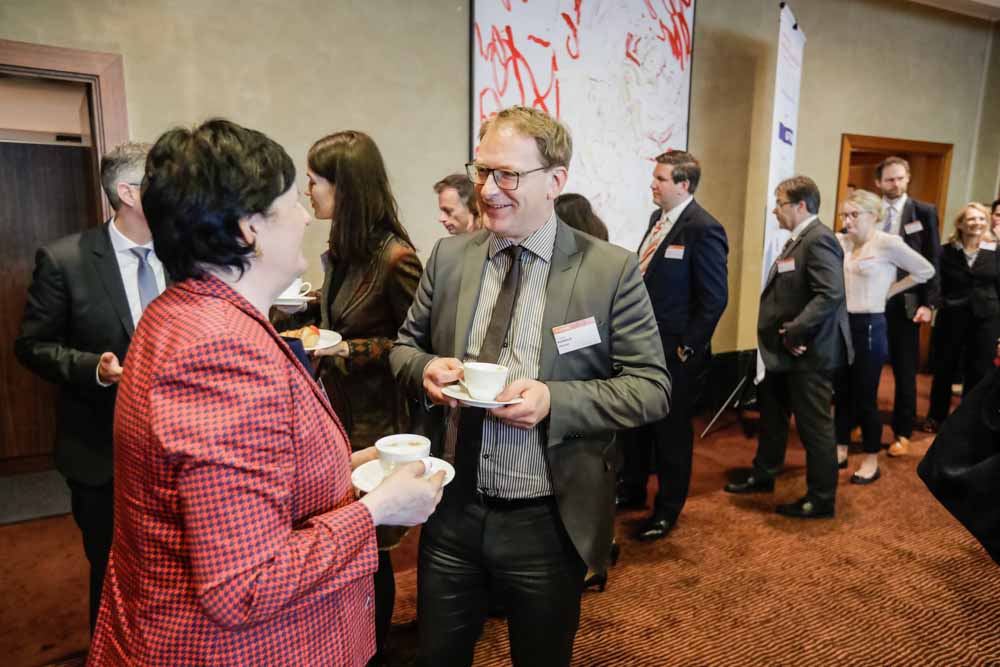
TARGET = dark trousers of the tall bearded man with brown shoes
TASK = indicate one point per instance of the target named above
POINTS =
(904, 355)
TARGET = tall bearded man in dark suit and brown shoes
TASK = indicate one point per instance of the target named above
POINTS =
(917, 223)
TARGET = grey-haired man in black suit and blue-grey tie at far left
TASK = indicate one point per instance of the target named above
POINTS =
(85, 299)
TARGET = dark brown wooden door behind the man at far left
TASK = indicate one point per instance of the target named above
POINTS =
(46, 192)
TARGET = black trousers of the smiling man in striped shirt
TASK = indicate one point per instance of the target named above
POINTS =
(522, 557)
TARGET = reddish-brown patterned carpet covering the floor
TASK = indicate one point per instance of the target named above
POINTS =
(892, 580)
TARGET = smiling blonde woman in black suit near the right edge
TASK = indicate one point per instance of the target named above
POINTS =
(968, 321)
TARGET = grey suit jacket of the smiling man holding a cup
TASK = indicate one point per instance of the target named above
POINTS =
(620, 383)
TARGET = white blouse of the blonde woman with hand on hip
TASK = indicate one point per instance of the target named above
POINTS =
(867, 278)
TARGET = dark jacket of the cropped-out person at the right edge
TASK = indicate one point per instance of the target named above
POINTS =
(962, 466)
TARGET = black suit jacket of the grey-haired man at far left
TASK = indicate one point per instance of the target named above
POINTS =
(77, 310)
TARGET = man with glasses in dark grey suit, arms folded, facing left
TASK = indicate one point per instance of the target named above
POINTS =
(803, 336)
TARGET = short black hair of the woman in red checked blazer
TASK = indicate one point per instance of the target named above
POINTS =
(199, 183)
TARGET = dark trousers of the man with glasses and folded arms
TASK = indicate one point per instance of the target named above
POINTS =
(806, 395)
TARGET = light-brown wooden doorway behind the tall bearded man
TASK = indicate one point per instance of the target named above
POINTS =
(930, 167)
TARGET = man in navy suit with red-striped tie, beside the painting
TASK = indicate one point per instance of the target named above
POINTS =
(683, 261)
